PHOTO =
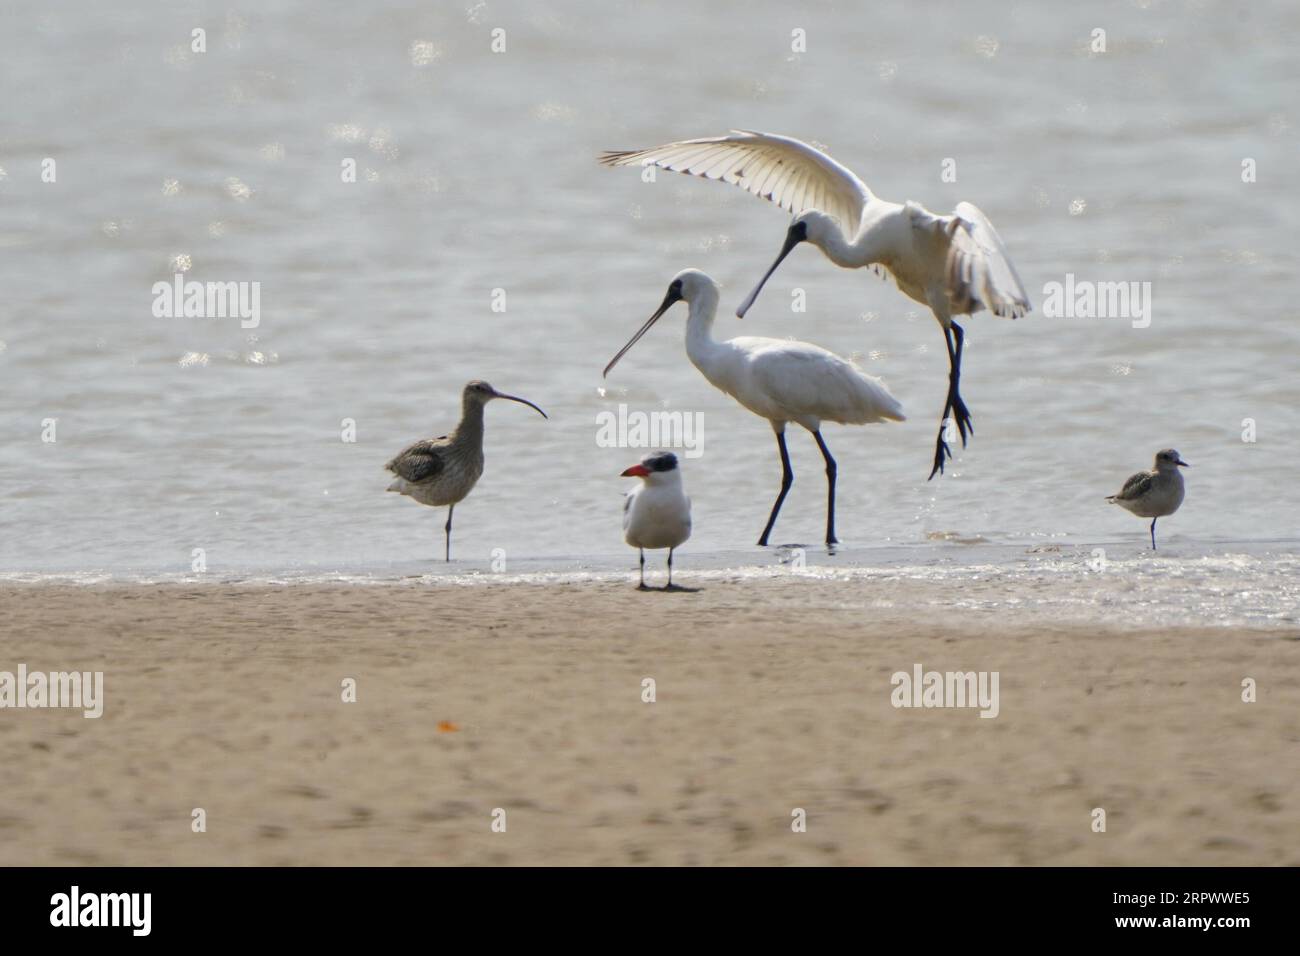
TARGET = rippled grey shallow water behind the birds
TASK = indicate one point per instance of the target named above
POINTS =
(478, 172)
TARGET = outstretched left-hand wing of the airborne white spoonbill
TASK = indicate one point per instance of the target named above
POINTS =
(788, 172)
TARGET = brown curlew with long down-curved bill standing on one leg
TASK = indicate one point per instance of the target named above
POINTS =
(443, 471)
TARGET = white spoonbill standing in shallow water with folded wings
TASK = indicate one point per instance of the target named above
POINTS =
(777, 379)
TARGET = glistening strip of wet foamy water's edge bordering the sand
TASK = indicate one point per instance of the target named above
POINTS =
(1238, 585)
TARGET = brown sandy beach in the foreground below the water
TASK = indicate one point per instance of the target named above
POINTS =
(770, 695)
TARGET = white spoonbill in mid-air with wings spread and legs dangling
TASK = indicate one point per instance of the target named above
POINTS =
(955, 265)
